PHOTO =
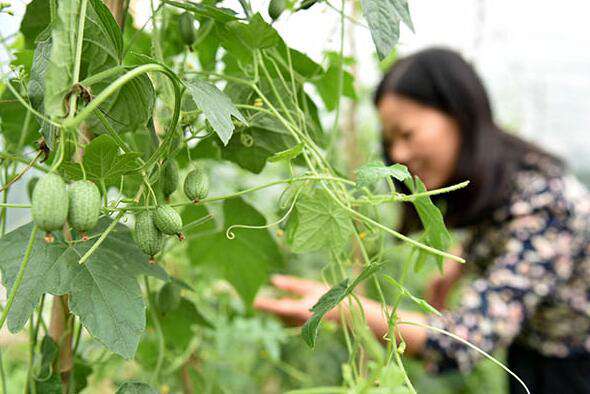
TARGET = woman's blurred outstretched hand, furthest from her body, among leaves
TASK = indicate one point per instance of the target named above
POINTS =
(294, 310)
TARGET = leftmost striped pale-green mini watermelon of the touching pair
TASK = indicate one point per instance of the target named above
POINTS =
(49, 205)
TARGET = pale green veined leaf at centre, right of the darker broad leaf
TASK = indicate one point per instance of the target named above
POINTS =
(321, 223)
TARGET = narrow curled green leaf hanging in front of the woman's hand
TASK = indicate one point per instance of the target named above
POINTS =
(330, 300)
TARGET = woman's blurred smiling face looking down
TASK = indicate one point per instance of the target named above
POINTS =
(421, 137)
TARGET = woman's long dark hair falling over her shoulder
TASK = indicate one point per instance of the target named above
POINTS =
(488, 157)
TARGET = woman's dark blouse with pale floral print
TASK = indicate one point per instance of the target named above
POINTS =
(533, 266)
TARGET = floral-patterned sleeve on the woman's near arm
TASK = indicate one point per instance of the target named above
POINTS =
(494, 307)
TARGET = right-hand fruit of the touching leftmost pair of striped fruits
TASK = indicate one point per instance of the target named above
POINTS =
(84, 206)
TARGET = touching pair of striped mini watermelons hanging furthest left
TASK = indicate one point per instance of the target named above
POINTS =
(52, 203)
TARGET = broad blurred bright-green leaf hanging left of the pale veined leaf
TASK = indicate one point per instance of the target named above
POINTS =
(245, 260)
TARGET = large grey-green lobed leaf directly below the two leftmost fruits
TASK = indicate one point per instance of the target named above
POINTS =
(104, 292)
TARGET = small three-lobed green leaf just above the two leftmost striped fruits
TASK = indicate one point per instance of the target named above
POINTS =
(103, 162)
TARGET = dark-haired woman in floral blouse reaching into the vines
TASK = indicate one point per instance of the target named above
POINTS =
(527, 221)
